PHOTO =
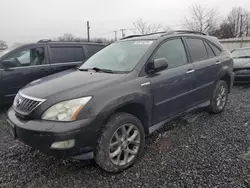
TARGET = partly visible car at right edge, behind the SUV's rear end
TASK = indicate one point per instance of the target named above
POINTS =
(241, 58)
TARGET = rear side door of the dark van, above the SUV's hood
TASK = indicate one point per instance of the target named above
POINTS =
(63, 57)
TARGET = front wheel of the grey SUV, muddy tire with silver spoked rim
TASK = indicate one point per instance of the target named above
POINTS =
(114, 150)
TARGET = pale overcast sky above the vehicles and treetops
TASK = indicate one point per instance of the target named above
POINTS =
(31, 20)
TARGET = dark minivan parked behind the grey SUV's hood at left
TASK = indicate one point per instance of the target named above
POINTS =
(33, 61)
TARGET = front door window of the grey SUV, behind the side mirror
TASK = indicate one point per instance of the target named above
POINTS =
(173, 51)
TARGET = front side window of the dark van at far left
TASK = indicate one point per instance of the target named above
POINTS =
(29, 57)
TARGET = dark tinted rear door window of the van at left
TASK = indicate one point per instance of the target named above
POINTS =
(66, 54)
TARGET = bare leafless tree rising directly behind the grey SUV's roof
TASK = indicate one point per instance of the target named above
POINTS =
(202, 19)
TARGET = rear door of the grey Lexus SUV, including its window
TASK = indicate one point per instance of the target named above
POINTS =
(207, 67)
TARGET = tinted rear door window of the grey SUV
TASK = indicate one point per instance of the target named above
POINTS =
(197, 49)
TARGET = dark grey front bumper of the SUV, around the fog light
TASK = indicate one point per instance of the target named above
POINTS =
(41, 134)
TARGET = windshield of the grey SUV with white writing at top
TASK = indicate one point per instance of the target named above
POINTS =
(121, 56)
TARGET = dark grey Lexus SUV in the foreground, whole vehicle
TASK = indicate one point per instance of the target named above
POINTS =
(106, 107)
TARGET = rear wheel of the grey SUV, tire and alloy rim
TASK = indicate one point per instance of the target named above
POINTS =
(215, 106)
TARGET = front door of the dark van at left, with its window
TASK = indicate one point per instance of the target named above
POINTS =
(21, 67)
